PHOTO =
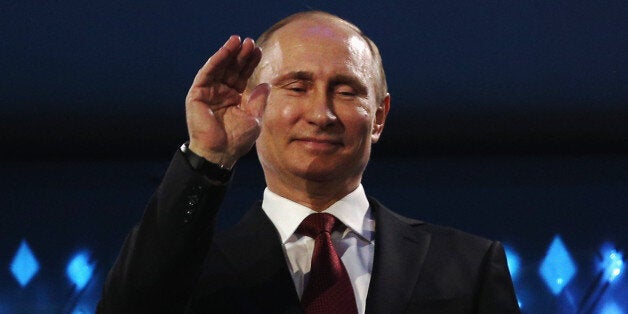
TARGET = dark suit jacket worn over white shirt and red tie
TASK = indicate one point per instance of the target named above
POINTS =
(172, 262)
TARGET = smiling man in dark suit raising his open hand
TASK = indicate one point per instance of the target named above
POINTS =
(313, 103)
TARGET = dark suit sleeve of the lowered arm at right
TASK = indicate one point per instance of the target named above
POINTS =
(497, 294)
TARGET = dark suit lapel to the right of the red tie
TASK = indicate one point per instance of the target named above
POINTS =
(399, 253)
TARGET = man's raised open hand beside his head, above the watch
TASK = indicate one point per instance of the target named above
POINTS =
(223, 123)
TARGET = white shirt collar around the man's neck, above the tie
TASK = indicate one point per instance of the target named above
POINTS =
(352, 210)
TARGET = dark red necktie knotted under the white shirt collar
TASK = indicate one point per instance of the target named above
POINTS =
(329, 289)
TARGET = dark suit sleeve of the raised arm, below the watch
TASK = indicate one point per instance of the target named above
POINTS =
(162, 256)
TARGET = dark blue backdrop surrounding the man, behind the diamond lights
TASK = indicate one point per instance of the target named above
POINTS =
(509, 119)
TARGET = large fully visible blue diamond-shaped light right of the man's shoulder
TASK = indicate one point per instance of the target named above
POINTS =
(558, 267)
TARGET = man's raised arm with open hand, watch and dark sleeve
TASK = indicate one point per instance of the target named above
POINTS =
(163, 255)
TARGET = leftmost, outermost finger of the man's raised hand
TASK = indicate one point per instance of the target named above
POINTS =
(217, 64)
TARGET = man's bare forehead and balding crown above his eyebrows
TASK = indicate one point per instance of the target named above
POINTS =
(308, 42)
